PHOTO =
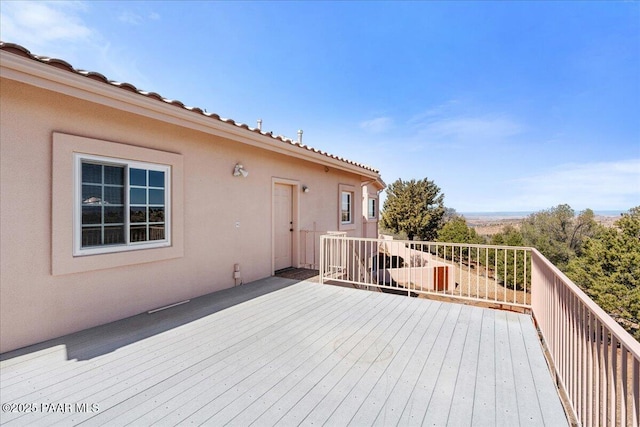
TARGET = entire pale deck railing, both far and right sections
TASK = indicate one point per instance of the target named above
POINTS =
(595, 361)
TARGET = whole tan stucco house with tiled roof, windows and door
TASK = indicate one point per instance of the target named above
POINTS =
(116, 201)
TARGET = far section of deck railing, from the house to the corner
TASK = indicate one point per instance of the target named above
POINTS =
(490, 274)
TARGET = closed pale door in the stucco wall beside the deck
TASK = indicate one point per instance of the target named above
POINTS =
(282, 225)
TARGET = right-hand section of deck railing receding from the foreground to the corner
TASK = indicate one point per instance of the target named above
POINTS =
(597, 363)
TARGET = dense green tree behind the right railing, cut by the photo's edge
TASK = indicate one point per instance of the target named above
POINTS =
(608, 270)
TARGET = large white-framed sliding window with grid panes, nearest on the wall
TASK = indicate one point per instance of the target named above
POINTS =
(121, 205)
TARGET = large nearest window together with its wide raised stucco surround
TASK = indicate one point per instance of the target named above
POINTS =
(67, 251)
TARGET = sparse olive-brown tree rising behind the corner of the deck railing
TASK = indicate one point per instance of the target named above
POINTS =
(558, 233)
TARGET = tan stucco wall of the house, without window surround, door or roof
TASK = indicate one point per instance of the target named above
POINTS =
(36, 305)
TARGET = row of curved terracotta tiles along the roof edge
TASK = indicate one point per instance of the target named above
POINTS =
(58, 63)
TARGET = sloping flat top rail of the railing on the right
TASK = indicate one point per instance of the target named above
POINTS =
(632, 345)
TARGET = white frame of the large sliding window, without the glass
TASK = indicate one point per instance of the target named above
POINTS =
(78, 250)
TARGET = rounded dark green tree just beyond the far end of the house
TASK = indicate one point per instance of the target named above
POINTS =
(413, 207)
